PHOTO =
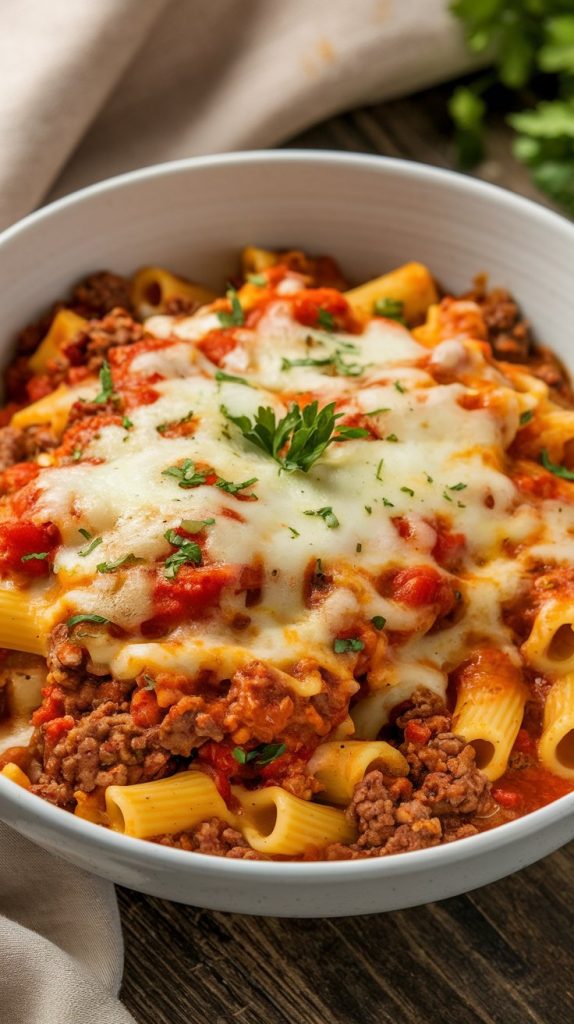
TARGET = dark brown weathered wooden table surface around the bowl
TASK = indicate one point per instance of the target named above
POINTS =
(503, 955)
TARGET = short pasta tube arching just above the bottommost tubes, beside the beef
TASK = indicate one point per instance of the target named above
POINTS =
(340, 766)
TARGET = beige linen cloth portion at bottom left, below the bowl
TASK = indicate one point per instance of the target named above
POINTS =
(61, 944)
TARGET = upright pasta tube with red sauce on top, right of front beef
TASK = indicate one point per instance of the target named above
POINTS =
(490, 712)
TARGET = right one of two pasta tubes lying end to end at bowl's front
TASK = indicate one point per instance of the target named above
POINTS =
(278, 823)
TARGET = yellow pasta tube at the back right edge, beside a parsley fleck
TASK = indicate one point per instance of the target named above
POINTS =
(412, 285)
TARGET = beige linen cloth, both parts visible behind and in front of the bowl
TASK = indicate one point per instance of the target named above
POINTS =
(95, 88)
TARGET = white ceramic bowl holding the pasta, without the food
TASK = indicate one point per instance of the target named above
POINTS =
(372, 215)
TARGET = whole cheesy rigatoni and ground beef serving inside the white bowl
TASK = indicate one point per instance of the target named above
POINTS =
(287, 573)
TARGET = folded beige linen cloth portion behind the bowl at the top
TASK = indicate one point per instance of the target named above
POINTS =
(95, 89)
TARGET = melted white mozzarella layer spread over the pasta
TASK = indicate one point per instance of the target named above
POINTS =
(433, 462)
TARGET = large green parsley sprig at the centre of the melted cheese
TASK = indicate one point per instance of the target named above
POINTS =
(305, 433)
